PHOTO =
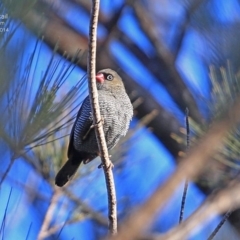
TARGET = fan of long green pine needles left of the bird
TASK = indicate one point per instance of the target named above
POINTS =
(31, 116)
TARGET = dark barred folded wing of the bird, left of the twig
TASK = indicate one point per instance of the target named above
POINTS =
(81, 126)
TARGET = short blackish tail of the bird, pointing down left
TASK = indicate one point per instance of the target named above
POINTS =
(66, 172)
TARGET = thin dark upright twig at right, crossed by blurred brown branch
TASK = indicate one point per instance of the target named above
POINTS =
(184, 196)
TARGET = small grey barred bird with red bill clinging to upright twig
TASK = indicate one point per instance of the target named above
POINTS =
(116, 111)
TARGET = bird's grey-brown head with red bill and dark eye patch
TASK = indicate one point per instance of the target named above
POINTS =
(107, 79)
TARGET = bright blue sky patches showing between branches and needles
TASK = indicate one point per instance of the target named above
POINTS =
(147, 163)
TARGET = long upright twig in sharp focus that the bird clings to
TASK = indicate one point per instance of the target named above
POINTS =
(107, 165)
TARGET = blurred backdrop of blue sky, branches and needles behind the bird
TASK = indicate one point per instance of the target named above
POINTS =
(173, 55)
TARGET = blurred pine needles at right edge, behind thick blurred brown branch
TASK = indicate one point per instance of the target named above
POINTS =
(225, 91)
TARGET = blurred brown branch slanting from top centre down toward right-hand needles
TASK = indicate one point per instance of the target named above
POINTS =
(163, 66)
